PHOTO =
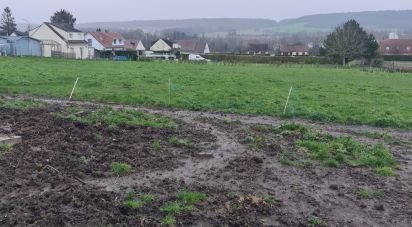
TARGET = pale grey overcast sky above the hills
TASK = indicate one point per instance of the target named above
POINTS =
(37, 11)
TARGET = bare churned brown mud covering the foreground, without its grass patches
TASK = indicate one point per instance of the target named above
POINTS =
(60, 175)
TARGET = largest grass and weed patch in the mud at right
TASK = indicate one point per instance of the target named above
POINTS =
(335, 152)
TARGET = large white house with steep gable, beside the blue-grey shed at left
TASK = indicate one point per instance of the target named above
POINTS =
(59, 40)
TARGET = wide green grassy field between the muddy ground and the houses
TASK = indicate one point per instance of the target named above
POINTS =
(323, 94)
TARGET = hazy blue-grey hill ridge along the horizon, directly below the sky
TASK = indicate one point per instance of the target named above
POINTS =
(374, 20)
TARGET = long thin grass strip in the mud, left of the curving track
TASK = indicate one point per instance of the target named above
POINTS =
(114, 118)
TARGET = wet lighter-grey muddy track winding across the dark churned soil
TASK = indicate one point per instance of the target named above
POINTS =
(328, 192)
